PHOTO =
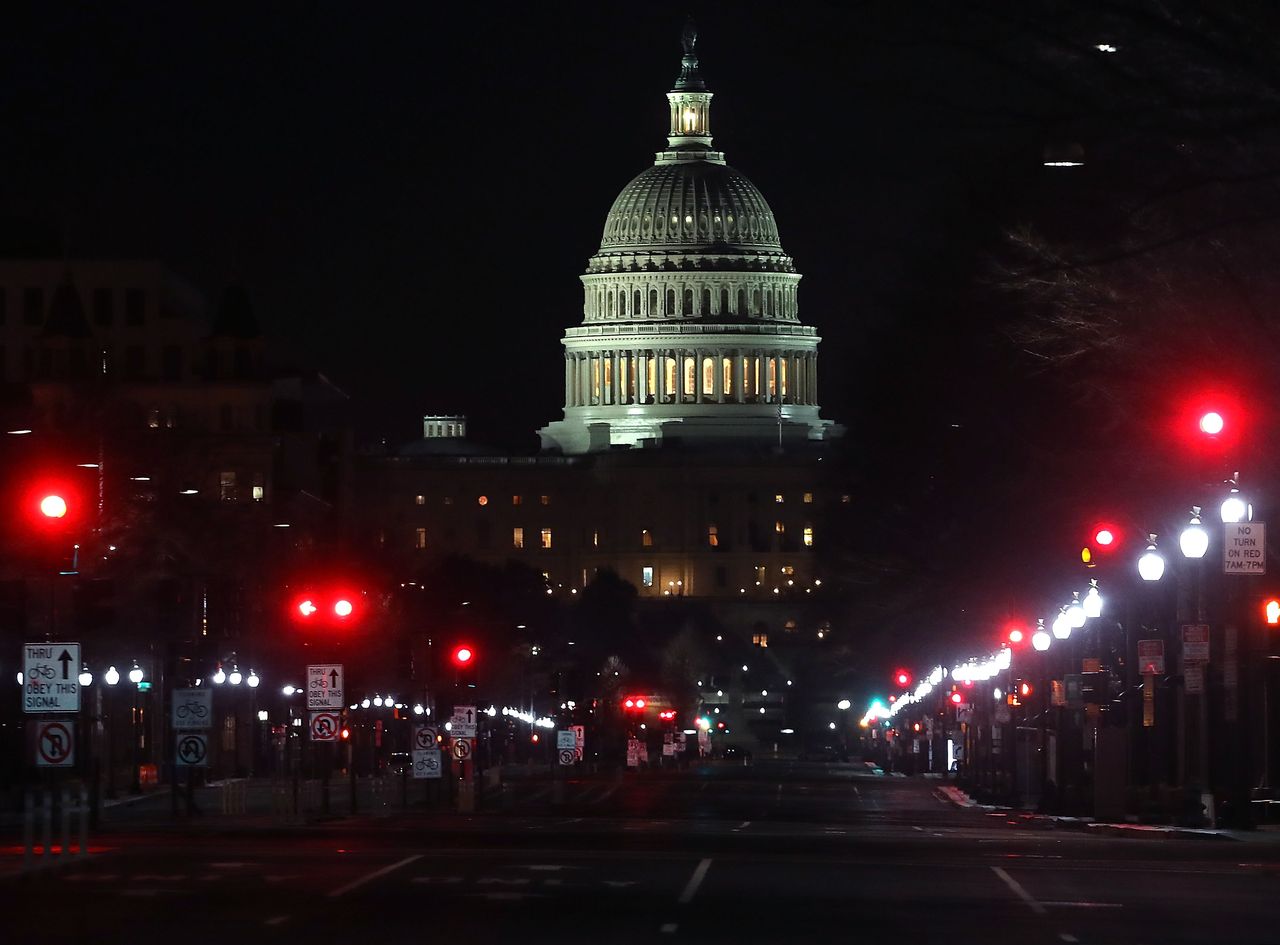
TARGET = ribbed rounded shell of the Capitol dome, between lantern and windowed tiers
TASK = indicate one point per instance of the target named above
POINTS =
(688, 204)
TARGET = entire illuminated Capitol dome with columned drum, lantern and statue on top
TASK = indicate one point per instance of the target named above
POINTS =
(691, 325)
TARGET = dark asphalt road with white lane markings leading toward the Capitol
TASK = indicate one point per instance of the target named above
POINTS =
(770, 853)
